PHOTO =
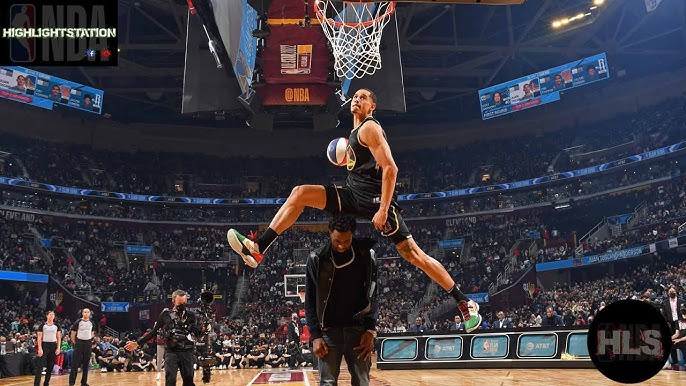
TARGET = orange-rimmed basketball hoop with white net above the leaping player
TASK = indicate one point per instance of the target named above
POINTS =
(354, 30)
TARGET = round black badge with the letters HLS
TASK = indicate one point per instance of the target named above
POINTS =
(629, 341)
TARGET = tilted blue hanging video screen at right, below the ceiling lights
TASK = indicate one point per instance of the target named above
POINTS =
(542, 87)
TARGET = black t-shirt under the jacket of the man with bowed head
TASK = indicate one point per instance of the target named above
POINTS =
(347, 291)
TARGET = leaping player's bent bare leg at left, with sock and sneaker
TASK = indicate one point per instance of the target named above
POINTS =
(251, 249)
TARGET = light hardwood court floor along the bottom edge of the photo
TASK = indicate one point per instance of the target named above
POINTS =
(471, 377)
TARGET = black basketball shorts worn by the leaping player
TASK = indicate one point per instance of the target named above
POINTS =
(362, 205)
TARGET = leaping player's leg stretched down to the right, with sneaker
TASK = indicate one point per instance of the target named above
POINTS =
(397, 231)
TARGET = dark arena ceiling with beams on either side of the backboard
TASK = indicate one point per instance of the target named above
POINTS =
(448, 51)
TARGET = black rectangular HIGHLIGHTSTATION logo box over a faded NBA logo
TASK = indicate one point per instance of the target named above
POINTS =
(58, 33)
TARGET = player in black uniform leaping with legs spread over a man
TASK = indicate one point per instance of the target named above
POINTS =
(369, 193)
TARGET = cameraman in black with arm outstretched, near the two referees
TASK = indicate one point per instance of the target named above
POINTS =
(178, 326)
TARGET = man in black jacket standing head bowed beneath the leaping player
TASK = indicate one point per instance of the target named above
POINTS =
(341, 303)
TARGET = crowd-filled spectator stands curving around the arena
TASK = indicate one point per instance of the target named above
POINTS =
(86, 251)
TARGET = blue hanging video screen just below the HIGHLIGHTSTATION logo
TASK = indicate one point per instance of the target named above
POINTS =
(38, 89)
